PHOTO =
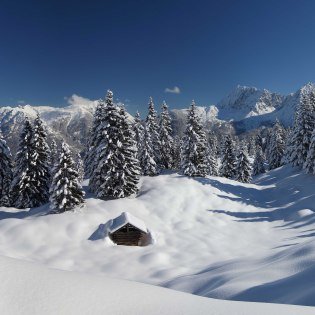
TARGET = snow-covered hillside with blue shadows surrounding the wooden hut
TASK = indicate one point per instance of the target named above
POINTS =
(213, 237)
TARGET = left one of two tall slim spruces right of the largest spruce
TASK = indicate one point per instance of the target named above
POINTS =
(153, 129)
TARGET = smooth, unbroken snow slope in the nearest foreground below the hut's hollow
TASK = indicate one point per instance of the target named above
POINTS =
(27, 288)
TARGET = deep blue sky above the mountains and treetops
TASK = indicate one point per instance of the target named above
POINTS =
(52, 49)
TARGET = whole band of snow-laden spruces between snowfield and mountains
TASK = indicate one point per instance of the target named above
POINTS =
(119, 151)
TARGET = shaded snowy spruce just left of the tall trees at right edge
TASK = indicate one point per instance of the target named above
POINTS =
(276, 146)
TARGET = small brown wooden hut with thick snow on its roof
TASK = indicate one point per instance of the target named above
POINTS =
(128, 230)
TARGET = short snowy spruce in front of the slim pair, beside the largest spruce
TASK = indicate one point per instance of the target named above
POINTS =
(147, 159)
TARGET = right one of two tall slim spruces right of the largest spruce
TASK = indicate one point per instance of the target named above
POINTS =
(166, 139)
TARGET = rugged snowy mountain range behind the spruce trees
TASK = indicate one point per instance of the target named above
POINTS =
(243, 109)
